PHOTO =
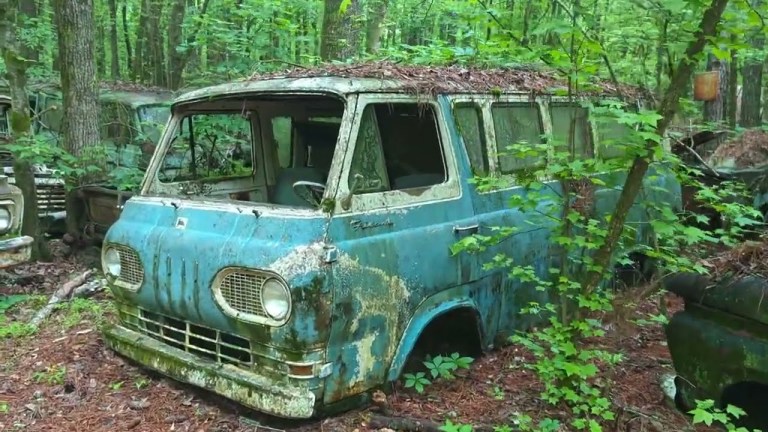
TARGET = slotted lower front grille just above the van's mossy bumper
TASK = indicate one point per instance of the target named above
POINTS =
(194, 339)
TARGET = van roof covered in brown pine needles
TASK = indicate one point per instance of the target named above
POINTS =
(426, 80)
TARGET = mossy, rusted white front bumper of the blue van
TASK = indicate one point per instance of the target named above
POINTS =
(245, 387)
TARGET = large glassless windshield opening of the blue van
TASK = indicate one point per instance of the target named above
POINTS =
(253, 149)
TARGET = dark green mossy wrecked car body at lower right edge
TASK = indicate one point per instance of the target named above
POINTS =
(718, 345)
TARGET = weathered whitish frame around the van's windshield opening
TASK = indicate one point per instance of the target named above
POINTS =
(151, 181)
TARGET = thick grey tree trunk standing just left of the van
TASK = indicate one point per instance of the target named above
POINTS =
(74, 20)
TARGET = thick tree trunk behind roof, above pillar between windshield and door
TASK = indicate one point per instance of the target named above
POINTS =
(340, 39)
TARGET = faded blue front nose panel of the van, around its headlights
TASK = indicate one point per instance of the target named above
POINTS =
(183, 244)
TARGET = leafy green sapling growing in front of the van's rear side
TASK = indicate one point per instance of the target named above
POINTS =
(568, 361)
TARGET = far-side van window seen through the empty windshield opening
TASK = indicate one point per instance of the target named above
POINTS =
(202, 147)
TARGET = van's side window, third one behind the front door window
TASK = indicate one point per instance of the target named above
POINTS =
(564, 117)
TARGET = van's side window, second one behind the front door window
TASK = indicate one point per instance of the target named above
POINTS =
(516, 123)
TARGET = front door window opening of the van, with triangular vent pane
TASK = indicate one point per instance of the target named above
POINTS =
(398, 147)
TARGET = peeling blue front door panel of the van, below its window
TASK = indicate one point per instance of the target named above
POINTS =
(384, 272)
